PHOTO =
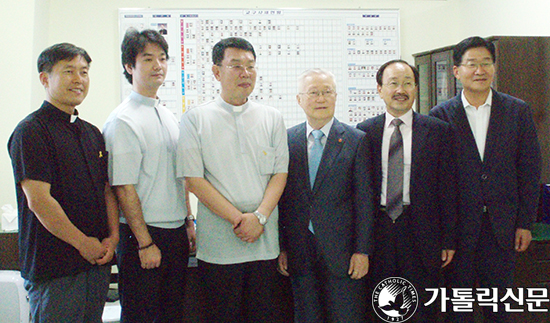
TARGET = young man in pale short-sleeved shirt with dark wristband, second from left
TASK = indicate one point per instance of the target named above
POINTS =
(141, 137)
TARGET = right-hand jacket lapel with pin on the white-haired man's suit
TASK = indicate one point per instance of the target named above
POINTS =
(333, 146)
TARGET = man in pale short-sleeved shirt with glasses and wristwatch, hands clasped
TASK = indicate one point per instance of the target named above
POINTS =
(234, 157)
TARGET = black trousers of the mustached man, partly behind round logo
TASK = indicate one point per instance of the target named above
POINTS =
(397, 254)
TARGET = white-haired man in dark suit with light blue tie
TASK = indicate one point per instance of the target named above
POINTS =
(324, 225)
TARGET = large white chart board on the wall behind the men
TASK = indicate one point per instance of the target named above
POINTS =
(352, 44)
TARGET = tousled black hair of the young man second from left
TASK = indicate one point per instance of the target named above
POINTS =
(134, 43)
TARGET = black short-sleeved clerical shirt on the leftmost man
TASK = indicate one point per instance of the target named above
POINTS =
(46, 146)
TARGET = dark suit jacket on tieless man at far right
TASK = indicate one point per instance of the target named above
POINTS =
(507, 180)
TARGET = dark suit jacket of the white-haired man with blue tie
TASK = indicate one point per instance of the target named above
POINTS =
(335, 205)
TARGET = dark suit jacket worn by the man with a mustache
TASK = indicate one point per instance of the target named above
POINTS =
(433, 208)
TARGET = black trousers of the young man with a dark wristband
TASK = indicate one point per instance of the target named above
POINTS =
(153, 295)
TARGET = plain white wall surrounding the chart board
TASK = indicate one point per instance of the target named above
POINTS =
(29, 26)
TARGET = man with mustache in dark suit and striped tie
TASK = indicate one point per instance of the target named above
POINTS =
(413, 183)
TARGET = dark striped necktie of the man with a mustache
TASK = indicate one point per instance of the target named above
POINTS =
(394, 193)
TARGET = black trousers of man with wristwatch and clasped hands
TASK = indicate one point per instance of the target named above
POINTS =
(239, 293)
